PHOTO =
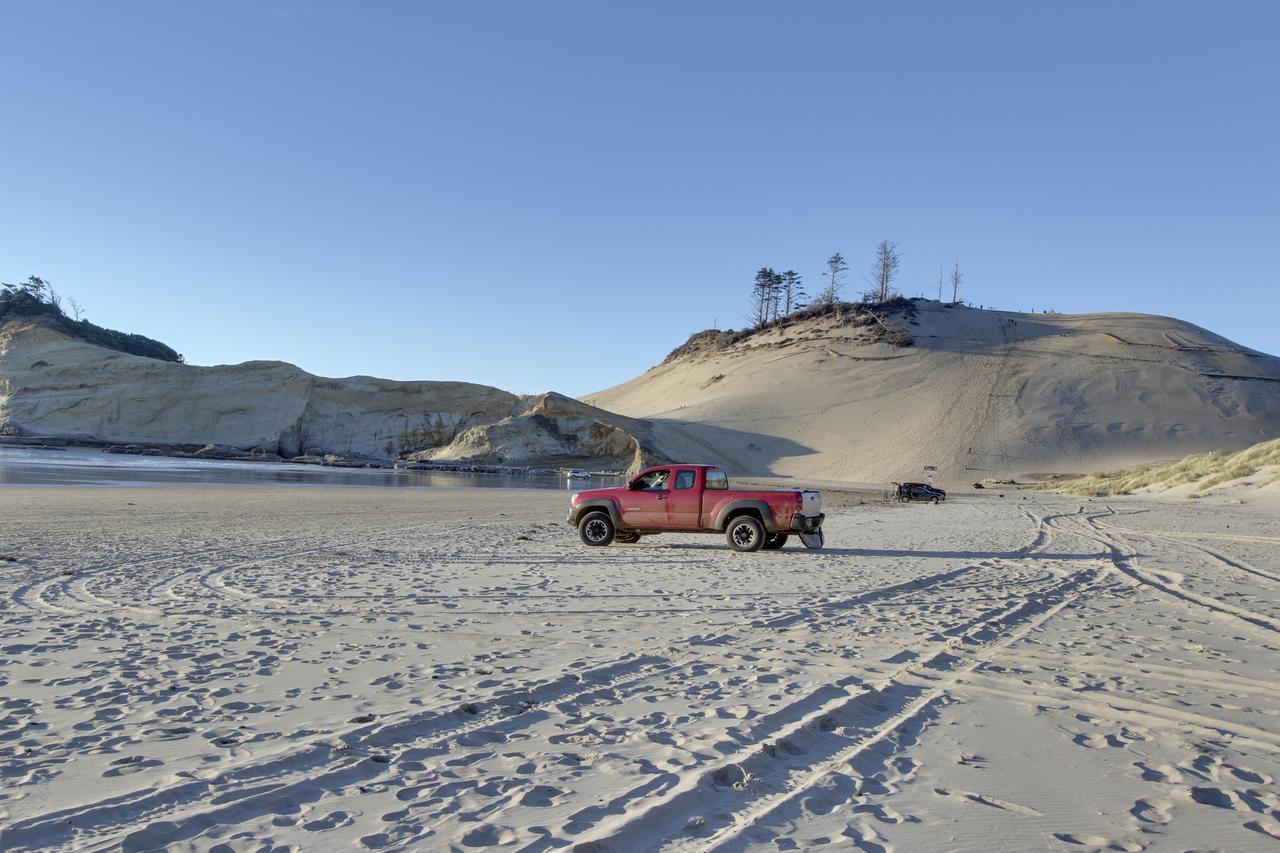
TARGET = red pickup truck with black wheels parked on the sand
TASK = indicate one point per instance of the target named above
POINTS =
(697, 499)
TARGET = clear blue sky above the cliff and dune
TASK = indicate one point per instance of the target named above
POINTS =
(554, 195)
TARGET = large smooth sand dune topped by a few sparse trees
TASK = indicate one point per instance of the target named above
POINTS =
(979, 394)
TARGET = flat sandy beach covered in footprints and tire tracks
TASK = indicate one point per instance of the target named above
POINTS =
(250, 668)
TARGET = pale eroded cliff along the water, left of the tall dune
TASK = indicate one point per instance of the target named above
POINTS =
(53, 385)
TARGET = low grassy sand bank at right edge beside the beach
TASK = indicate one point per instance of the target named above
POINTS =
(1206, 471)
